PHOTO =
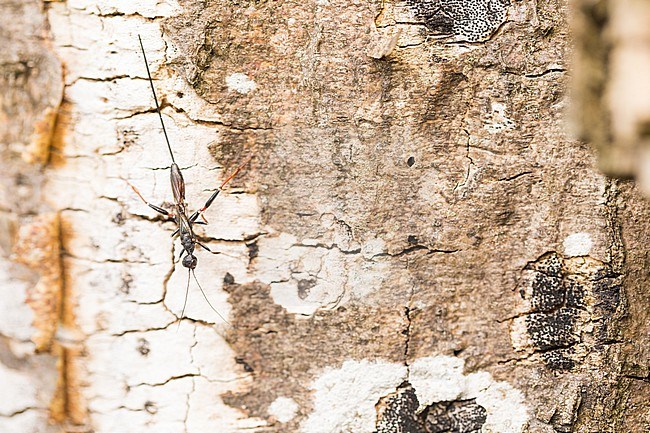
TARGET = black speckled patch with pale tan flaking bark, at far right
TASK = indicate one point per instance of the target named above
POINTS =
(559, 312)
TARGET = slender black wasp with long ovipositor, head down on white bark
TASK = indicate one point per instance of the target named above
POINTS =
(179, 215)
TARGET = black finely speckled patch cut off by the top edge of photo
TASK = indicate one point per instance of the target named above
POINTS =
(470, 20)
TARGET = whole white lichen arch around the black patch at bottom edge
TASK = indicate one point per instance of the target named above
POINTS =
(344, 398)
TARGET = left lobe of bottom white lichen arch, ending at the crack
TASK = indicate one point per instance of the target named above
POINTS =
(344, 398)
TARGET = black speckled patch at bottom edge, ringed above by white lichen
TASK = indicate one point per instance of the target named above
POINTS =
(397, 413)
